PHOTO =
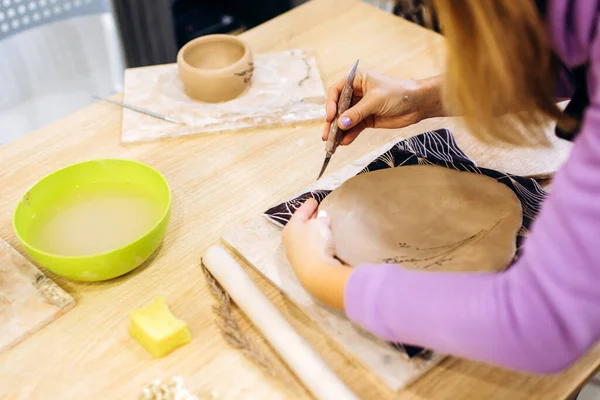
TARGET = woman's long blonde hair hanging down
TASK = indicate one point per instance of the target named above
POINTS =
(499, 61)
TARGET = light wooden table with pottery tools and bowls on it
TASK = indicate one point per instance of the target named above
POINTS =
(219, 181)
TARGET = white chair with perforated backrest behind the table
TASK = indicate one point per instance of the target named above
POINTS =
(54, 55)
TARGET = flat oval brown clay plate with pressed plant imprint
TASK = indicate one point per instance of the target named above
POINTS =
(425, 217)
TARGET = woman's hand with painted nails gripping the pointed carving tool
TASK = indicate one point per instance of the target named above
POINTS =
(383, 102)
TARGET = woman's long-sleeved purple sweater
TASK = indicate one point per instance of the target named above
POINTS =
(543, 313)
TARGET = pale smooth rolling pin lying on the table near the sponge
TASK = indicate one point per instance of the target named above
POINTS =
(292, 348)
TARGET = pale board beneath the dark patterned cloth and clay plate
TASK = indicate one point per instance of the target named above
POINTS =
(258, 242)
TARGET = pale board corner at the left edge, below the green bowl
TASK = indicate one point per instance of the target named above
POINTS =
(28, 299)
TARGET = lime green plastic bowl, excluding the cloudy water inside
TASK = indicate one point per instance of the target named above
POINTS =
(61, 186)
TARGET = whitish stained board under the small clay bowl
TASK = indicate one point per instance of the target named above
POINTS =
(286, 89)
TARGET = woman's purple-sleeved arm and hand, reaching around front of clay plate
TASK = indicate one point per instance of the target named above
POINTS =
(540, 315)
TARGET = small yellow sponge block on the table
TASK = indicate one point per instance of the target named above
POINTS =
(157, 329)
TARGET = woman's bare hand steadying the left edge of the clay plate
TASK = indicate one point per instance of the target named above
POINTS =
(309, 247)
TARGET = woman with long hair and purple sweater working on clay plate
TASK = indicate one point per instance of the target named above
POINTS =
(543, 313)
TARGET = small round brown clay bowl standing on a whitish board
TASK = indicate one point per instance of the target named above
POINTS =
(215, 68)
